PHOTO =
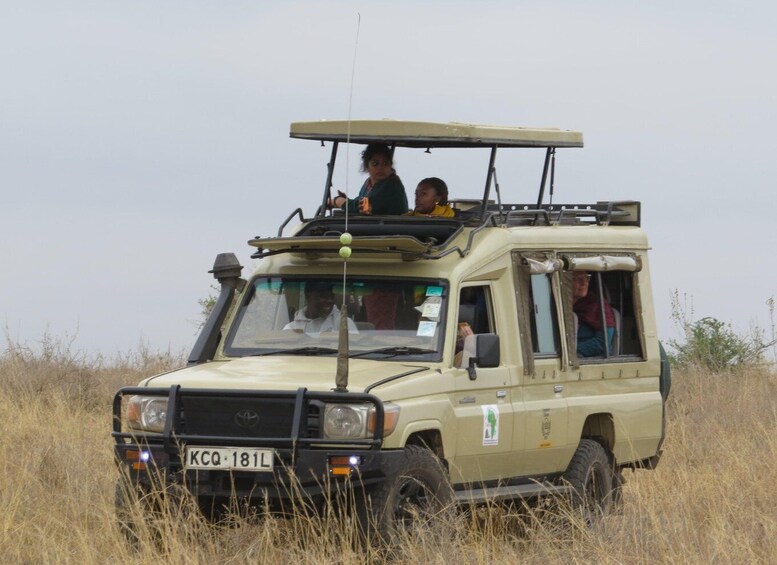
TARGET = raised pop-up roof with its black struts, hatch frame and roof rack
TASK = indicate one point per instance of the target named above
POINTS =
(431, 238)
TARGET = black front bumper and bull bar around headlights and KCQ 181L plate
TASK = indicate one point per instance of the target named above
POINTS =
(302, 456)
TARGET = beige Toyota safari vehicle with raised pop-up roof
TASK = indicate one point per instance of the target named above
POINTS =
(393, 407)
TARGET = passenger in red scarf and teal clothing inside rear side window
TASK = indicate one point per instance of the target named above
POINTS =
(588, 307)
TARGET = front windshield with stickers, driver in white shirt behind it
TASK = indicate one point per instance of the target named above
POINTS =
(393, 319)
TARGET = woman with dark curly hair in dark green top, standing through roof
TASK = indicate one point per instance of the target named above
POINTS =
(383, 192)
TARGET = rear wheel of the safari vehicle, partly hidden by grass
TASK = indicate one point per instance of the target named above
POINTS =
(590, 475)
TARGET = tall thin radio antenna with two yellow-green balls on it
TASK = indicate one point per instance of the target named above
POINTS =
(341, 376)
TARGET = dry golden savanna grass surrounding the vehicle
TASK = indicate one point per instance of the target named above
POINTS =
(711, 500)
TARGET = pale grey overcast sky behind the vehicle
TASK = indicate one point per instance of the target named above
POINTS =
(139, 139)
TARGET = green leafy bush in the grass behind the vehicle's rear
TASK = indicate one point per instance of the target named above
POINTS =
(711, 344)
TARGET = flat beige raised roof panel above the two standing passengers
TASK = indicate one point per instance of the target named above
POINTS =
(433, 134)
